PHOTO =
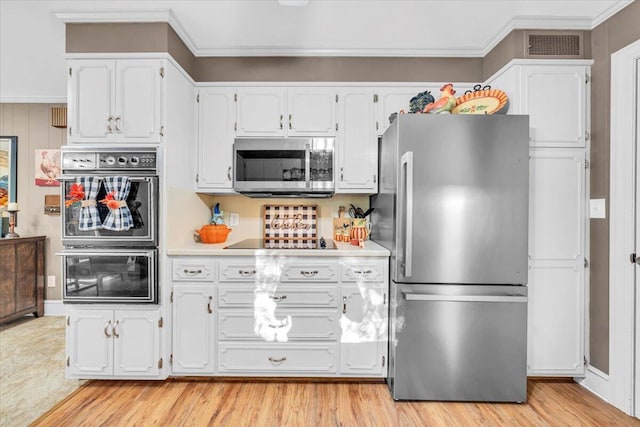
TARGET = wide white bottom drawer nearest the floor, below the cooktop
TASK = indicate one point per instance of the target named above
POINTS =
(274, 358)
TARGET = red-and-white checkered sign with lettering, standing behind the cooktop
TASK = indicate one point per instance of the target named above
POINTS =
(297, 223)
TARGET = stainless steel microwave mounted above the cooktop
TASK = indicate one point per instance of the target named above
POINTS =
(288, 167)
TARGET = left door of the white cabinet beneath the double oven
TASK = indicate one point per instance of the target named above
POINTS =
(89, 343)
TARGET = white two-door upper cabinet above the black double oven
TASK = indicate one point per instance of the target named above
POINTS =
(115, 100)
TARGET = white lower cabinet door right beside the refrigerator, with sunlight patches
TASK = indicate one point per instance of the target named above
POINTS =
(364, 328)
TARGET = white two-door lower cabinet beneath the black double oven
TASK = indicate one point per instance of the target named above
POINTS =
(113, 343)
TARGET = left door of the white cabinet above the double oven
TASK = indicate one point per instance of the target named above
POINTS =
(91, 100)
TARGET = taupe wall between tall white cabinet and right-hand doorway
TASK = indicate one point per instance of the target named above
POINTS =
(610, 36)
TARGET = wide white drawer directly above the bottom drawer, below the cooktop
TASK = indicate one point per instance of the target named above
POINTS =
(283, 325)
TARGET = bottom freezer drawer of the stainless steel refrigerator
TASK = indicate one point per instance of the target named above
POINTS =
(459, 342)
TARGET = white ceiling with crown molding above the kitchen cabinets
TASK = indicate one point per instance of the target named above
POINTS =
(345, 27)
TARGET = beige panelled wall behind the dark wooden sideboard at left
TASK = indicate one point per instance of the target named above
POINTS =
(31, 124)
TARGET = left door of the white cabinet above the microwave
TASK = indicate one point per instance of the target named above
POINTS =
(260, 111)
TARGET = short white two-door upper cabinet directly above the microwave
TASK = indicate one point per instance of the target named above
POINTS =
(280, 111)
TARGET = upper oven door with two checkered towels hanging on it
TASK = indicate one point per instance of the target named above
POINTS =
(109, 210)
